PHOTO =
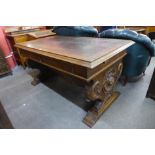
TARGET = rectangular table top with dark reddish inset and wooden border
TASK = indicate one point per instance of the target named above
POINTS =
(84, 51)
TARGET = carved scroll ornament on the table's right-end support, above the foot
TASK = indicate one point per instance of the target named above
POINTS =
(103, 86)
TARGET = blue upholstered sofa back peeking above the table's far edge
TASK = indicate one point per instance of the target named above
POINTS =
(85, 31)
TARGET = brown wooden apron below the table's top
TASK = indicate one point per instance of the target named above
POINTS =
(77, 71)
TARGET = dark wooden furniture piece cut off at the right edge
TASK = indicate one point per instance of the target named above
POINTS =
(151, 89)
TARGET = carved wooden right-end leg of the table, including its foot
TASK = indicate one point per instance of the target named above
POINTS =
(101, 92)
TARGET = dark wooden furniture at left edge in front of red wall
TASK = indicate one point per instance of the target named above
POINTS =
(4, 68)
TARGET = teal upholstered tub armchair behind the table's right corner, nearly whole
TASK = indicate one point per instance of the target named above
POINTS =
(138, 55)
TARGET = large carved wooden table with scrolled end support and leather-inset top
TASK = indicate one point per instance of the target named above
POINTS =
(94, 62)
